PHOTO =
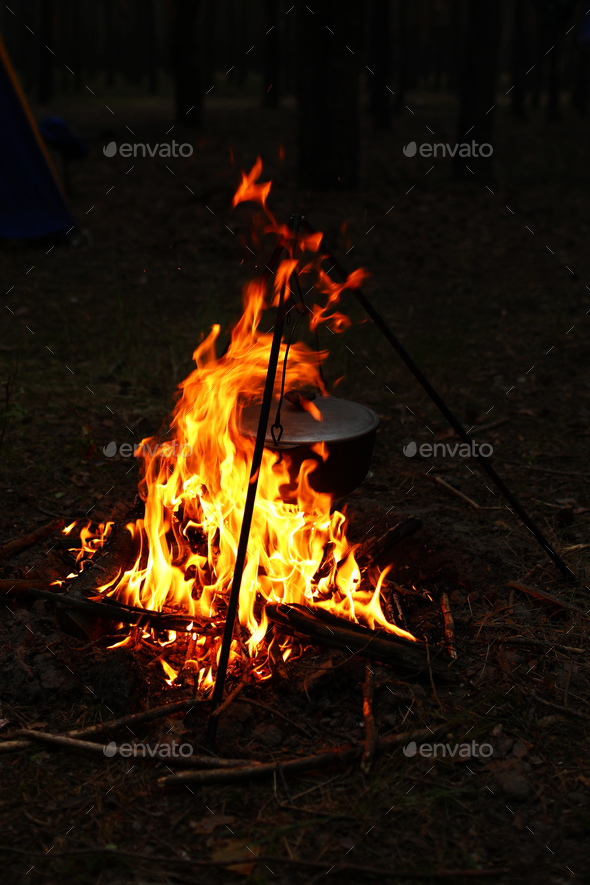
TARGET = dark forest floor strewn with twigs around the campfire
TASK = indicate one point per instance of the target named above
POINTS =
(488, 288)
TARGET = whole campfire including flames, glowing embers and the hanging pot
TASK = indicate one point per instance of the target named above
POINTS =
(300, 569)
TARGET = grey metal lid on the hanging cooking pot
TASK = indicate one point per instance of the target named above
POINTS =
(341, 420)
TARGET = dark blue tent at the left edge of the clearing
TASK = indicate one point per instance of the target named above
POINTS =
(32, 203)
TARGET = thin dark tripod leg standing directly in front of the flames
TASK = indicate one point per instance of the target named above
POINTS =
(234, 597)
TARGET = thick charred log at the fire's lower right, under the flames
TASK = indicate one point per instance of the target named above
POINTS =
(327, 629)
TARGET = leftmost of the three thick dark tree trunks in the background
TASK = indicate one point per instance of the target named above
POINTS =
(188, 93)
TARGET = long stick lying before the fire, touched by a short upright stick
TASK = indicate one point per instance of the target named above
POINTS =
(337, 755)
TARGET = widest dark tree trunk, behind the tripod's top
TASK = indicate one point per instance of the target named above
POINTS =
(328, 94)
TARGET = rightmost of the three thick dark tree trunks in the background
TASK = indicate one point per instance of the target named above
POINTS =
(475, 124)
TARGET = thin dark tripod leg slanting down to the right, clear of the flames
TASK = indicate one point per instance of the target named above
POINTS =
(446, 412)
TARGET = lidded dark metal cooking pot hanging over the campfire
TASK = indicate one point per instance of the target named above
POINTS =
(348, 430)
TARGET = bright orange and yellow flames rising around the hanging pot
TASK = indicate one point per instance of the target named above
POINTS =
(195, 482)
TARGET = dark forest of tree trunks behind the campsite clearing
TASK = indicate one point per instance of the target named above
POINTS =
(532, 55)
